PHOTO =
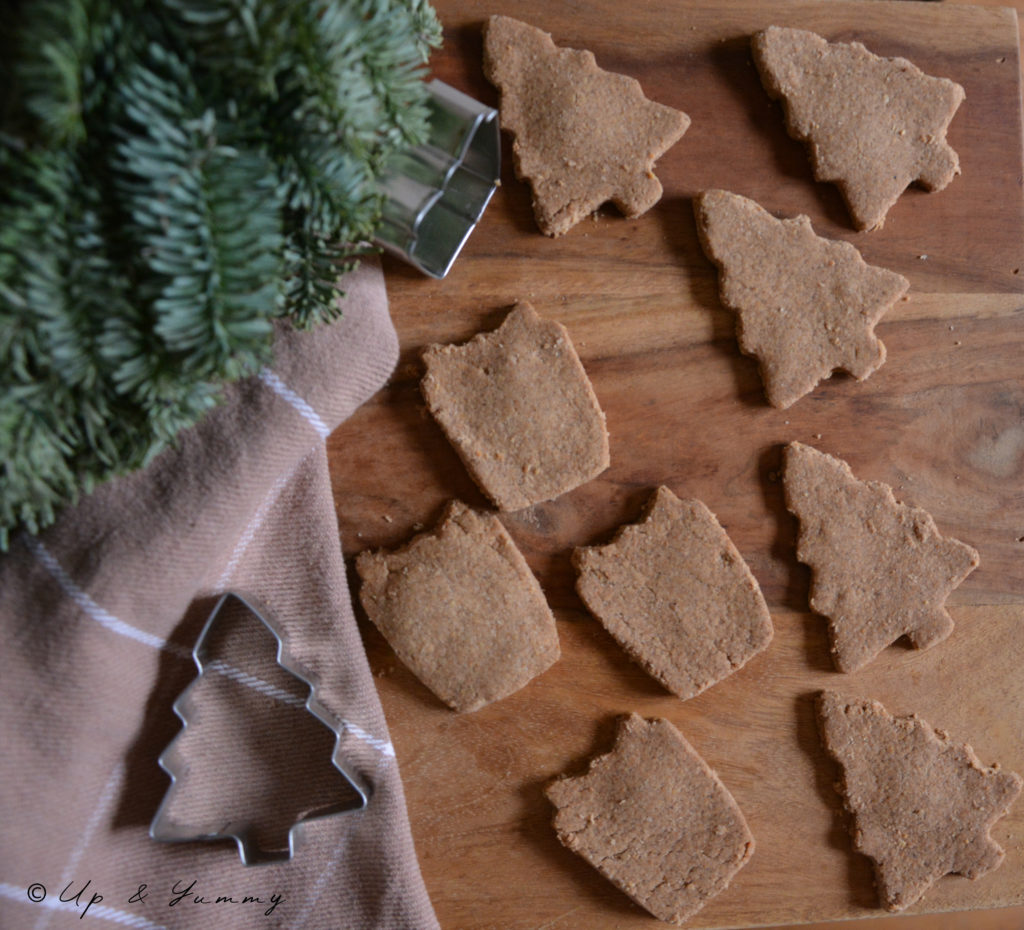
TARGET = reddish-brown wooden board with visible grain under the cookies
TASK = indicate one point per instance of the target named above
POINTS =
(943, 422)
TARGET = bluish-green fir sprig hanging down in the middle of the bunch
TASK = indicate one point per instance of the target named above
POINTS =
(205, 220)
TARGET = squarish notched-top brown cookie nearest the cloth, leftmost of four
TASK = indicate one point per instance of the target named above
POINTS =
(461, 609)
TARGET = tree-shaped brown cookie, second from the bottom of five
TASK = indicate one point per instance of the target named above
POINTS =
(881, 570)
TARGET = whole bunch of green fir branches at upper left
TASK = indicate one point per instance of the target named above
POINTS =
(177, 175)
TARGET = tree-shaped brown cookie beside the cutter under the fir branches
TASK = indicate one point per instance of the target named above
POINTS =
(582, 136)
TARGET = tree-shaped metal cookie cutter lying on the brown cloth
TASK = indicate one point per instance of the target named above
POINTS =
(165, 829)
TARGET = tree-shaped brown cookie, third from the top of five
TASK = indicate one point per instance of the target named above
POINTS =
(805, 306)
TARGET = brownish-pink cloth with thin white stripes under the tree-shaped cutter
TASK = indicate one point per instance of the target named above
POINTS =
(100, 616)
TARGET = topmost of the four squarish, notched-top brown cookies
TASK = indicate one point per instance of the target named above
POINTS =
(520, 409)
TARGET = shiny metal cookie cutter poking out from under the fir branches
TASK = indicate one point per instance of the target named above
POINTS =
(437, 193)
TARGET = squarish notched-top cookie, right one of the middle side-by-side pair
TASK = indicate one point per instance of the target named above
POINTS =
(677, 596)
